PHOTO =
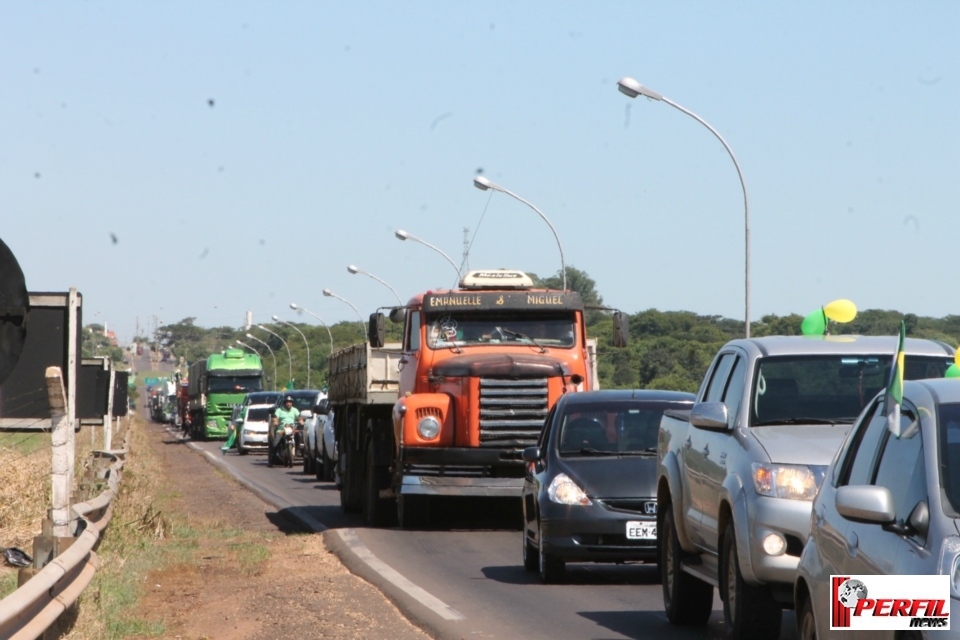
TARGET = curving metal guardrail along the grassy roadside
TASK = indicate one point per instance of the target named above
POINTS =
(28, 612)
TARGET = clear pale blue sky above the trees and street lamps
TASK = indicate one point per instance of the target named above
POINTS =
(333, 124)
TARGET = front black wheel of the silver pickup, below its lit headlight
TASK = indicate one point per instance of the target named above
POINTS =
(749, 612)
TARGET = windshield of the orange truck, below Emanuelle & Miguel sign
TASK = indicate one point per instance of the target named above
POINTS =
(485, 328)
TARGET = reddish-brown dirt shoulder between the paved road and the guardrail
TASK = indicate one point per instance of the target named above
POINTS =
(271, 582)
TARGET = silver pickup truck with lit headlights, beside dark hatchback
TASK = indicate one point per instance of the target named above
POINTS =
(738, 473)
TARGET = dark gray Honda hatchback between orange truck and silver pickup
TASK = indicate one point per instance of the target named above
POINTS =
(590, 488)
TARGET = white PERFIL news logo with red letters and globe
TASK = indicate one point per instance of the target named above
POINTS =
(889, 602)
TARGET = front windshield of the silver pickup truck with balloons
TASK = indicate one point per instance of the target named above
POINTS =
(827, 389)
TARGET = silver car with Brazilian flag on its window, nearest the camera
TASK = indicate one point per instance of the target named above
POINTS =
(888, 506)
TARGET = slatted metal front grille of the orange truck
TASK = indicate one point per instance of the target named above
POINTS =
(512, 411)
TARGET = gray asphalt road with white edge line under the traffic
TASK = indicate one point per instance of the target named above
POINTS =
(470, 559)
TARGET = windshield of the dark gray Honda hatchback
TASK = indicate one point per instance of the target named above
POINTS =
(612, 428)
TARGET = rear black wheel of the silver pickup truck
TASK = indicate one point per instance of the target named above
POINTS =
(686, 600)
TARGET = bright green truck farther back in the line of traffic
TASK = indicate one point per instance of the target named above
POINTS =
(216, 386)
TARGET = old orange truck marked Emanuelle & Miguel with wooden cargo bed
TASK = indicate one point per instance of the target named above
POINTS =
(448, 411)
